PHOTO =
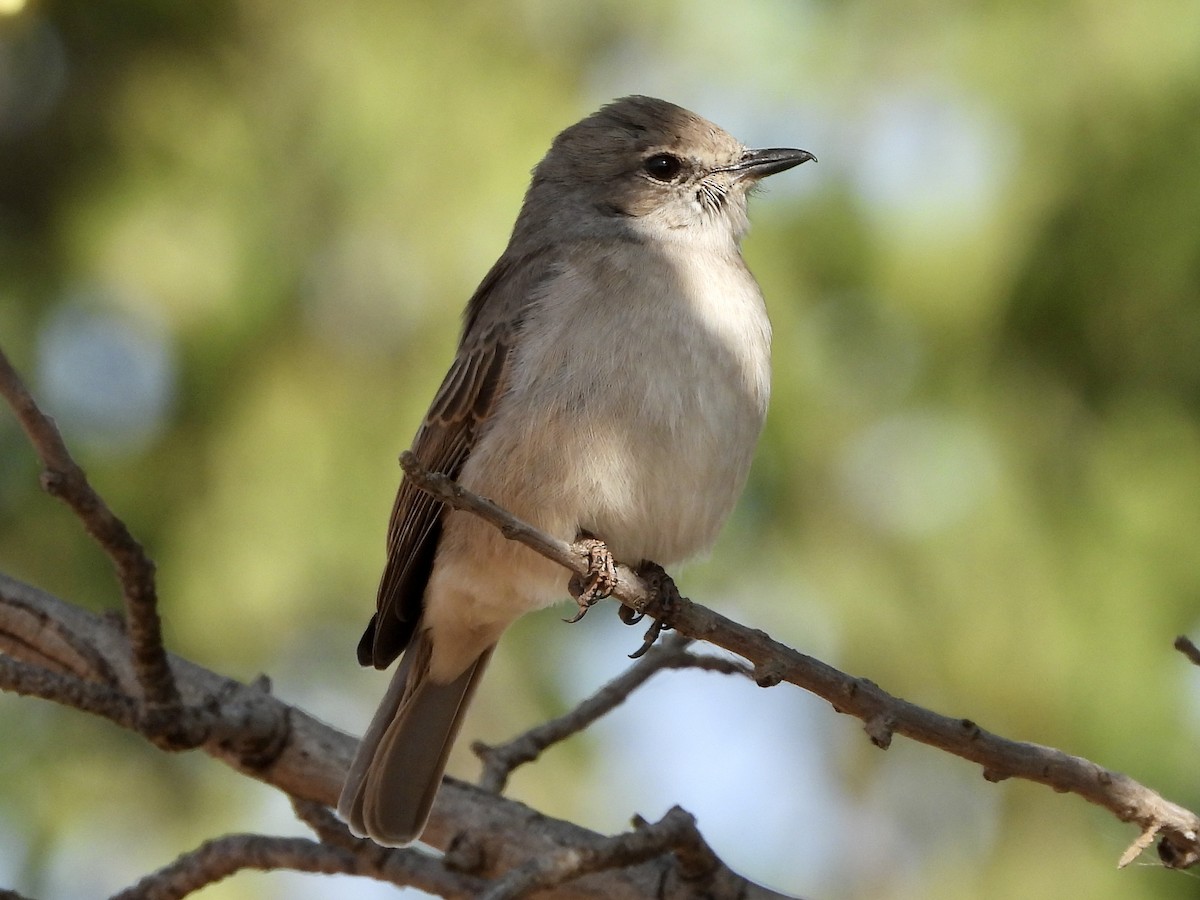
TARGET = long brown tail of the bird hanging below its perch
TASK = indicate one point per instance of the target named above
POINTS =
(397, 772)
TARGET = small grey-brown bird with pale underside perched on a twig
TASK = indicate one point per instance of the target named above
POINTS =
(611, 381)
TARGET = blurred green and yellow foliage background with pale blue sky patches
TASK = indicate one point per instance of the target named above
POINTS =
(236, 239)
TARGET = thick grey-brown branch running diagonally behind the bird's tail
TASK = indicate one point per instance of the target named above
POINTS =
(281, 746)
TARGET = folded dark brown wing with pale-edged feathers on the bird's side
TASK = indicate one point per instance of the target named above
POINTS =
(461, 409)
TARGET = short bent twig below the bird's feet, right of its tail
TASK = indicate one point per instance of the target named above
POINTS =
(502, 760)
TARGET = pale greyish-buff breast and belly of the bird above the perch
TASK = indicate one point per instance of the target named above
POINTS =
(643, 382)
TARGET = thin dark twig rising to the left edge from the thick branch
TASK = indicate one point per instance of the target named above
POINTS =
(63, 478)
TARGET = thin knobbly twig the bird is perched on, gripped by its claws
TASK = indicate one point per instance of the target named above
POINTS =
(884, 715)
